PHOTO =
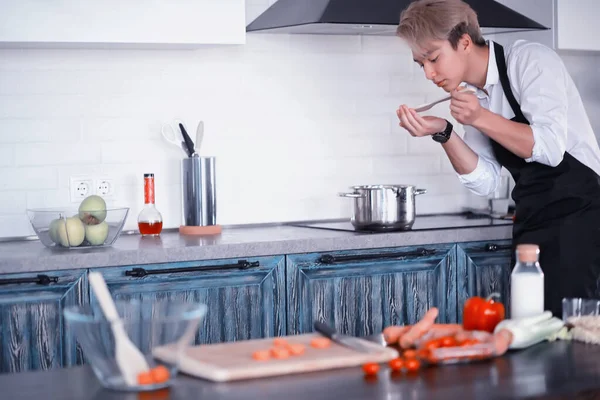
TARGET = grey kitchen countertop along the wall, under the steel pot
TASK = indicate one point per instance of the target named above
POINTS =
(248, 241)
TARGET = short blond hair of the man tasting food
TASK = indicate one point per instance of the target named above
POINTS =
(426, 20)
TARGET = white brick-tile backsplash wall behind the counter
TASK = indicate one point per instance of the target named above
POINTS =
(292, 120)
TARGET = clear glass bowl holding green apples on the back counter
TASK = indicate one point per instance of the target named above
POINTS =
(59, 227)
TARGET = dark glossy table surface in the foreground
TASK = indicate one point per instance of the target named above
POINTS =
(557, 370)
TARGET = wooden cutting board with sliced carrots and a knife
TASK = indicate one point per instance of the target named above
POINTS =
(224, 362)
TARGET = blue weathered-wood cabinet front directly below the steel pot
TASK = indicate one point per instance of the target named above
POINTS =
(362, 292)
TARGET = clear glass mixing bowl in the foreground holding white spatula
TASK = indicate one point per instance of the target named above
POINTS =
(169, 324)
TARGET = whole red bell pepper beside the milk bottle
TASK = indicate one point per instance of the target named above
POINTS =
(482, 314)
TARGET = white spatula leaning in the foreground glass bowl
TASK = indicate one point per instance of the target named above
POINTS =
(130, 360)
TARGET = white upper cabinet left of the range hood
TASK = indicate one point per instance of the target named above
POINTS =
(129, 23)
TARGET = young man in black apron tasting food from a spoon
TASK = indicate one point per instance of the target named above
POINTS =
(526, 115)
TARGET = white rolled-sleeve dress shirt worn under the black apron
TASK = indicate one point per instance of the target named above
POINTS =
(550, 102)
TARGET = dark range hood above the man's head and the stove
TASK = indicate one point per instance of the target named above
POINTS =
(372, 17)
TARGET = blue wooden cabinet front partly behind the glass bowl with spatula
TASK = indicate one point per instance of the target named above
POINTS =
(242, 303)
